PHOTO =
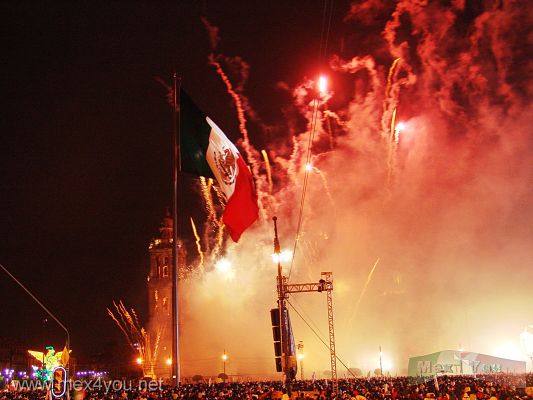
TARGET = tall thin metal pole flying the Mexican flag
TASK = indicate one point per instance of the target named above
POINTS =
(176, 168)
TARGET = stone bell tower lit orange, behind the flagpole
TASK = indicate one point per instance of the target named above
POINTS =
(160, 297)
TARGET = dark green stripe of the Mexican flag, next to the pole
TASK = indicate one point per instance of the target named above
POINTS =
(194, 138)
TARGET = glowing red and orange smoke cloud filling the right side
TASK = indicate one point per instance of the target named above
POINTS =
(445, 203)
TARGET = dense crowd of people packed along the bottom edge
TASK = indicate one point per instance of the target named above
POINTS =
(491, 387)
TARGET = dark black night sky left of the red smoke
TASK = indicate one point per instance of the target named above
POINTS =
(85, 166)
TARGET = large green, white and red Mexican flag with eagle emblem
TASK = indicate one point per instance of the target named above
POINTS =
(206, 151)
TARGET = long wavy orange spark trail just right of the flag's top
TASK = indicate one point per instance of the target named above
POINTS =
(248, 148)
